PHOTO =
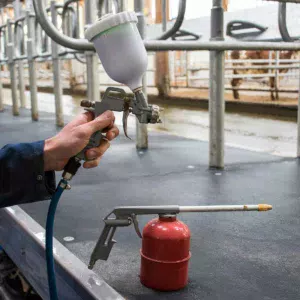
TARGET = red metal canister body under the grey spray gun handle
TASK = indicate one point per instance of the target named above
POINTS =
(165, 254)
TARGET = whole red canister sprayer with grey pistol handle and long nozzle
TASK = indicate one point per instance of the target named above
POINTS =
(165, 249)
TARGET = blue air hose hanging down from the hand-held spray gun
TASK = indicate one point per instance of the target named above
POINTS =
(49, 239)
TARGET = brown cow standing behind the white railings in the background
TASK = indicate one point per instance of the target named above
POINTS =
(236, 82)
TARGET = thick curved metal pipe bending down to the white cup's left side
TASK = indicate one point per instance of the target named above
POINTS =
(54, 34)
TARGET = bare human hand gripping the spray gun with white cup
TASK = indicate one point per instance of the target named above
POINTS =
(75, 136)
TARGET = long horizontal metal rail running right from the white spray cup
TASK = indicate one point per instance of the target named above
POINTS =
(217, 45)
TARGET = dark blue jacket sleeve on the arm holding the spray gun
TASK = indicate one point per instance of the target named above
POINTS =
(22, 176)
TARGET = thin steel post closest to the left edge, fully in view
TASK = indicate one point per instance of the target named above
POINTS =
(12, 69)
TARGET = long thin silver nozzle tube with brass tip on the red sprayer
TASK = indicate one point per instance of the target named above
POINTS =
(217, 208)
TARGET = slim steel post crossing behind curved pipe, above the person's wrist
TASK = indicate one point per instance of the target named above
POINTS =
(56, 73)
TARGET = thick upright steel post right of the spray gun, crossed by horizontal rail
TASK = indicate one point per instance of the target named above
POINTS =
(216, 91)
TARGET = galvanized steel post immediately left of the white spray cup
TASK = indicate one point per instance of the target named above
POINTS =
(91, 58)
